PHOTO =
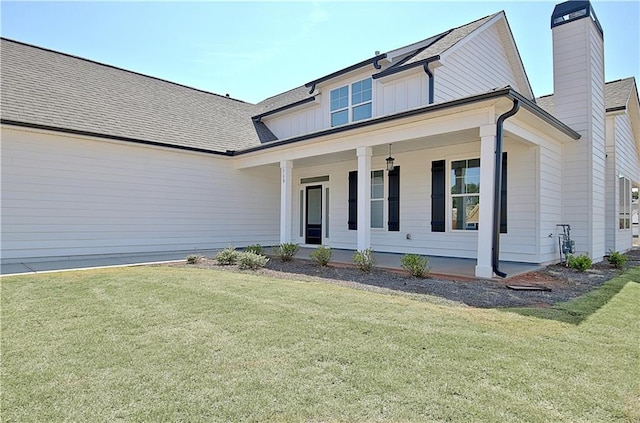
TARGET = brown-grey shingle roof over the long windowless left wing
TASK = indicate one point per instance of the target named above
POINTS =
(44, 87)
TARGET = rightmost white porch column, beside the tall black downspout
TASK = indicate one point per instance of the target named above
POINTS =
(484, 269)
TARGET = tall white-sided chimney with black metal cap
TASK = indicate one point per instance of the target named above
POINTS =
(578, 84)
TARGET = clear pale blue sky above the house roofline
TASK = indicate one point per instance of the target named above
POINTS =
(255, 50)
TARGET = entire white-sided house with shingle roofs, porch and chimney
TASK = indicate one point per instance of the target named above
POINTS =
(126, 163)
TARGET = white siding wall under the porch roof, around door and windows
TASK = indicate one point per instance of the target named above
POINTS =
(520, 243)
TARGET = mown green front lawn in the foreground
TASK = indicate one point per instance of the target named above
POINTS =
(178, 344)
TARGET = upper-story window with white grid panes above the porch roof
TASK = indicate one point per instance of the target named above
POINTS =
(351, 102)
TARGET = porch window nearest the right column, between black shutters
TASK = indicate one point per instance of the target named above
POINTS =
(465, 194)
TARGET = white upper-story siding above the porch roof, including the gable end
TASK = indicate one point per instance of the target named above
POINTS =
(480, 65)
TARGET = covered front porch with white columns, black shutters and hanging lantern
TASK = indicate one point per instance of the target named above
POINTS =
(337, 190)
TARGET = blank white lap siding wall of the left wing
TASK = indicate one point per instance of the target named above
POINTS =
(65, 196)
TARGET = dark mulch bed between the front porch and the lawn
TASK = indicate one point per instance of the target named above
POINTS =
(564, 283)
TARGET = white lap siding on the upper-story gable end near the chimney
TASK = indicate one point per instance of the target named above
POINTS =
(480, 65)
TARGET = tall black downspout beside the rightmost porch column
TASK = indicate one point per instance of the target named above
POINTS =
(497, 185)
